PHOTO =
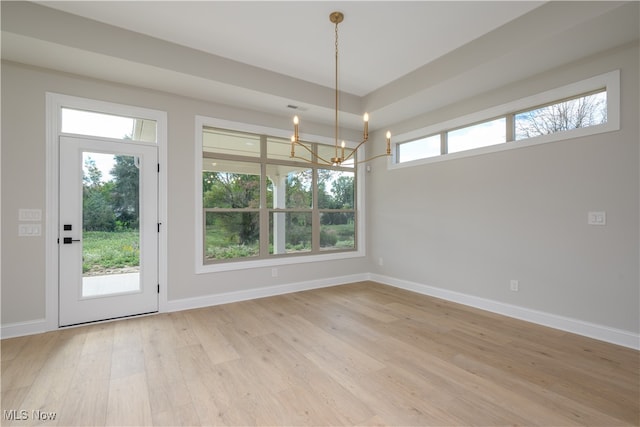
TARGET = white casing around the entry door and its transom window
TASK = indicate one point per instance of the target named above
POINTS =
(54, 103)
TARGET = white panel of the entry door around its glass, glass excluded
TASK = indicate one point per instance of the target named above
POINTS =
(75, 307)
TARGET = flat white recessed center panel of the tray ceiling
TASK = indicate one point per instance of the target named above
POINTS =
(378, 41)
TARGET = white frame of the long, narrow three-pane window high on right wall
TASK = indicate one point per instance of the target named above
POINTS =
(610, 81)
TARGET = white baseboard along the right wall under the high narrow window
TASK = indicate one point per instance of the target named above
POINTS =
(591, 330)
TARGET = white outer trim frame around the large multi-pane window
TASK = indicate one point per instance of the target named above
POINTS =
(269, 260)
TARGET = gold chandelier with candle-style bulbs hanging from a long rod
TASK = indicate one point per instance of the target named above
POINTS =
(339, 153)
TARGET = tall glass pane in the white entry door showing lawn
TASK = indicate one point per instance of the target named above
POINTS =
(110, 228)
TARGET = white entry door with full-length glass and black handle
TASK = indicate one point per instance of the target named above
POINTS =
(108, 240)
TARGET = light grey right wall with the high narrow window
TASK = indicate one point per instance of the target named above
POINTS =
(471, 225)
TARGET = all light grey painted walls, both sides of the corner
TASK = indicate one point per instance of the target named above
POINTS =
(468, 225)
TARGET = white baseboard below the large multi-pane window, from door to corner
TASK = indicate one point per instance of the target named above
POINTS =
(249, 294)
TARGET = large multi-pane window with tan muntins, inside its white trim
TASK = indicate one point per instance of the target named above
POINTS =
(259, 204)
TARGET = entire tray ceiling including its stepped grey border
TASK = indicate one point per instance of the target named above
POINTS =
(397, 59)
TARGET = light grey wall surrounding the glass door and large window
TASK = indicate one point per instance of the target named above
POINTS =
(23, 186)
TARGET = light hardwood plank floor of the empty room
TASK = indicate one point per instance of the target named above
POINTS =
(359, 354)
